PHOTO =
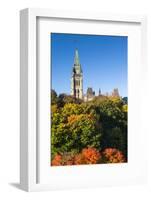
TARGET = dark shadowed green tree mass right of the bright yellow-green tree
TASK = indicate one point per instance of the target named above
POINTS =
(113, 116)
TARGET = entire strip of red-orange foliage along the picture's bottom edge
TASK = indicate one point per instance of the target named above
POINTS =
(89, 156)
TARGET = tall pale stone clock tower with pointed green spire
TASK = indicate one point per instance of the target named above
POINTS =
(77, 78)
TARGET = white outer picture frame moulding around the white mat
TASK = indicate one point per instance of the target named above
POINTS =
(29, 148)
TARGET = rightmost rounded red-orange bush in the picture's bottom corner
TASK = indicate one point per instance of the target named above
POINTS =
(112, 155)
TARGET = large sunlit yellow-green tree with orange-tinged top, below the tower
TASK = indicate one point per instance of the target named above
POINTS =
(72, 131)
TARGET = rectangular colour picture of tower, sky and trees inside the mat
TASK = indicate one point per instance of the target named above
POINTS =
(88, 99)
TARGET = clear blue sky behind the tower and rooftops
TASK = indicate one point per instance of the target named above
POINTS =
(103, 60)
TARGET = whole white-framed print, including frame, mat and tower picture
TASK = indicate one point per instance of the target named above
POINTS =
(81, 123)
